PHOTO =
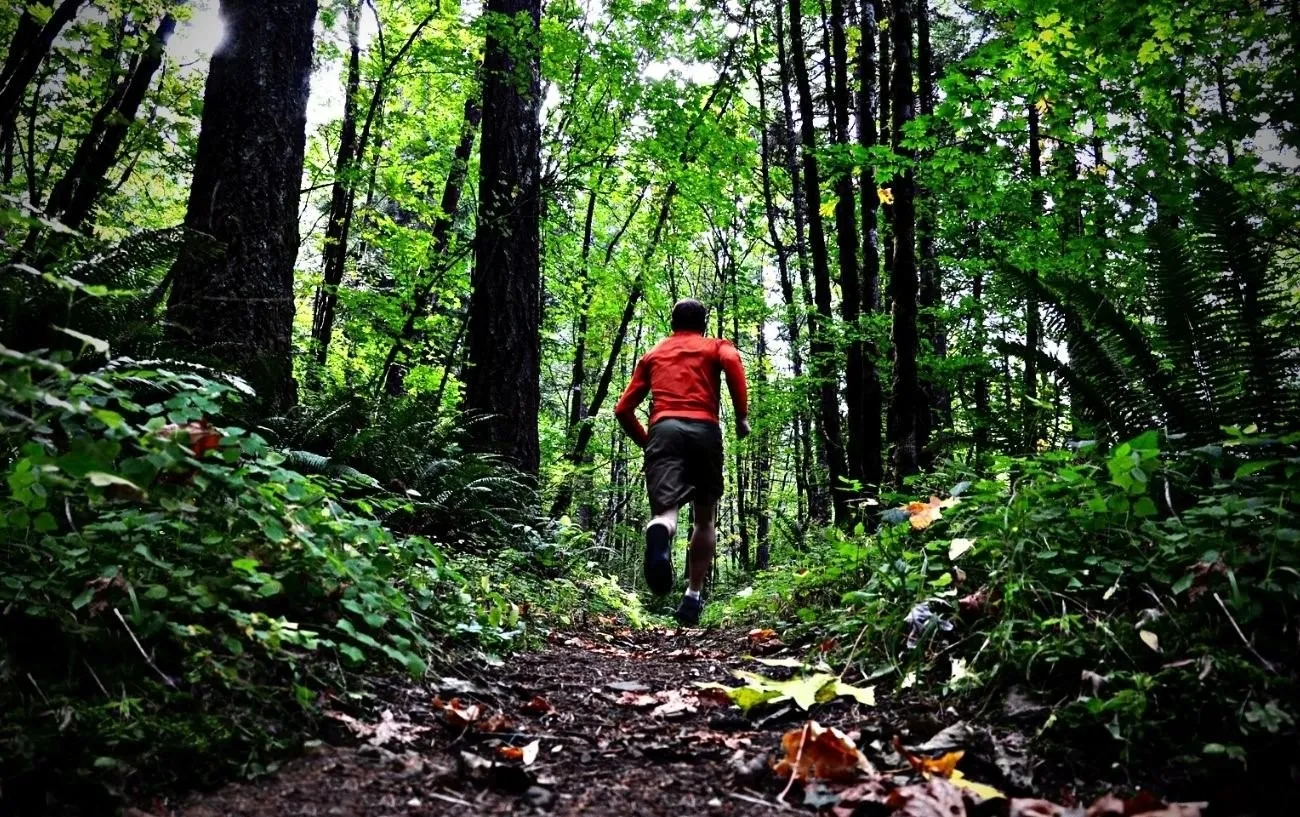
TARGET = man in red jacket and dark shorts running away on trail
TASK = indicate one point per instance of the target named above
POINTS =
(684, 446)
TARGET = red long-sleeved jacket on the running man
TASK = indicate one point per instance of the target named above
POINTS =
(683, 377)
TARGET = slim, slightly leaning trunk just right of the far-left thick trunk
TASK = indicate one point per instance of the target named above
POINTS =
(341, 197)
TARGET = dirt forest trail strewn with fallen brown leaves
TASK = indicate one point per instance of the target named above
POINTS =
(618, 724)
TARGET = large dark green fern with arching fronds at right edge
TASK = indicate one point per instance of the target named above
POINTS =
(1217, 348)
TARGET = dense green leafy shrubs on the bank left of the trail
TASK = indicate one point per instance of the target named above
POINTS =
(176, 599)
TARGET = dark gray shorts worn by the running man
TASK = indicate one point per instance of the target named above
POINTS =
(684, 464)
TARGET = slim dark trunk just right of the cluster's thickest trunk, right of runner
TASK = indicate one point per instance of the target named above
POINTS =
(931, 286)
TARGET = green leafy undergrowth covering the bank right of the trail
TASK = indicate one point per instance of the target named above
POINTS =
(1149, 594)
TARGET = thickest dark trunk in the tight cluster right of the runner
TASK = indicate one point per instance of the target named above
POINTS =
(908, 401)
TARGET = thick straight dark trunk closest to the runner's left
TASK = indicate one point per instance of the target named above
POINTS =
(505, 308)
